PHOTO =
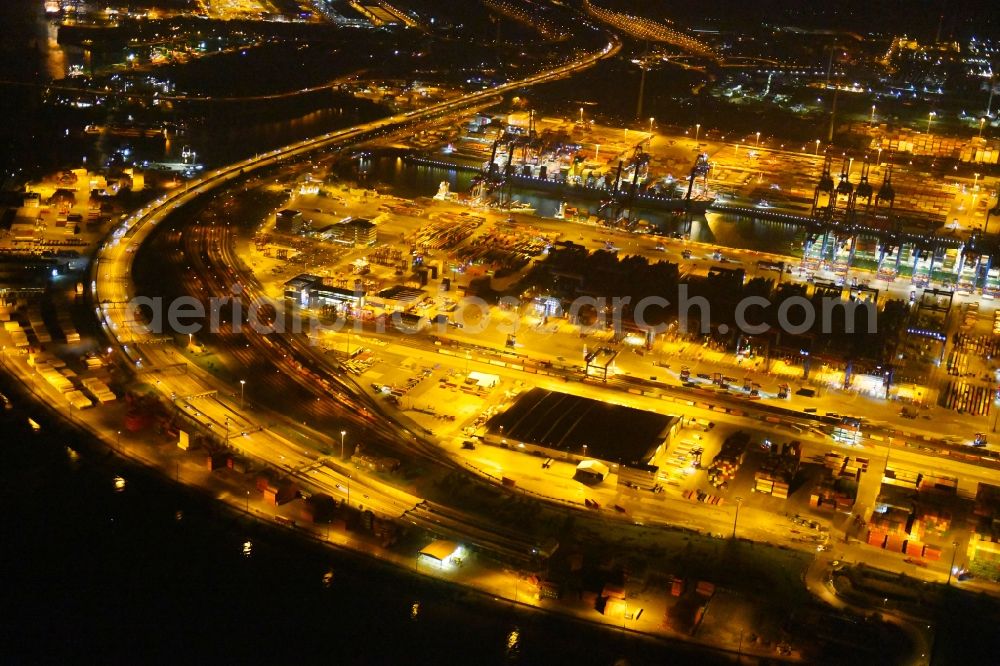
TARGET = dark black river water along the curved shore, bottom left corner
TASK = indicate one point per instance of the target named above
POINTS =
(157, 571)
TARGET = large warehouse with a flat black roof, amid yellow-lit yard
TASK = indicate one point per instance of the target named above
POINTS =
(568, 426)
